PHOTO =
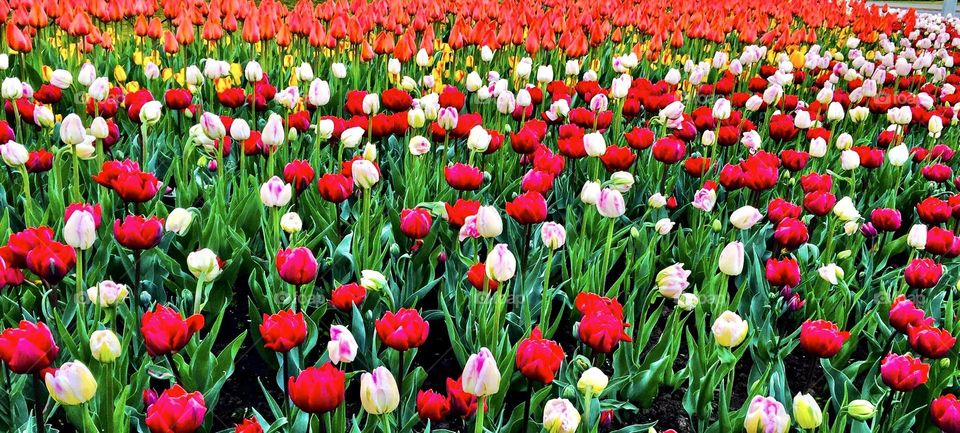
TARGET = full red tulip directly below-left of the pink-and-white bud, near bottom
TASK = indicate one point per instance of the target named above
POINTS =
(317, 390)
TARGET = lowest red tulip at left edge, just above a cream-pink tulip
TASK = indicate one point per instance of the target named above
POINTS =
(28, 348)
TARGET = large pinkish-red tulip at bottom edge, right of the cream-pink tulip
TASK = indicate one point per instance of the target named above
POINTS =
(176, 411)
